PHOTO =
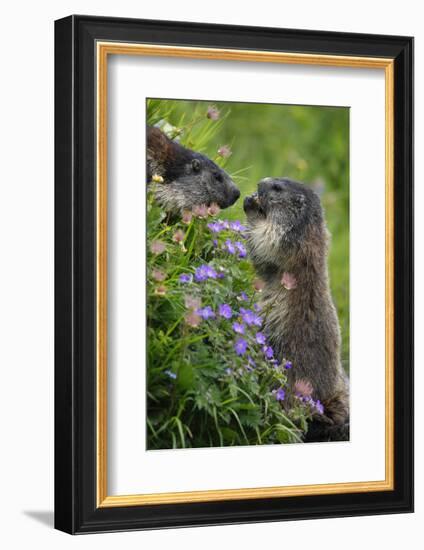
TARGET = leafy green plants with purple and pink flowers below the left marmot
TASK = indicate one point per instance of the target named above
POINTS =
(212, 377)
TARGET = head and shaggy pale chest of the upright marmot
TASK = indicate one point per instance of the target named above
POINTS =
(286, 226)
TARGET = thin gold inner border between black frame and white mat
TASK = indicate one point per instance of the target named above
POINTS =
(103, 50)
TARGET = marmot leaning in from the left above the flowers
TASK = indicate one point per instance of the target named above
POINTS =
(189, 179)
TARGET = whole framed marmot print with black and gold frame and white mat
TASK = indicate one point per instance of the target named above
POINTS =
(234, 274)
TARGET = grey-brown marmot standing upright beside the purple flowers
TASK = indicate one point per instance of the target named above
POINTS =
(288, 240)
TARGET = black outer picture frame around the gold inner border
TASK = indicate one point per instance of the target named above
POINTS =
(76, 510)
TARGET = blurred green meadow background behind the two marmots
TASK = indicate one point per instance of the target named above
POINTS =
(305, 143)
